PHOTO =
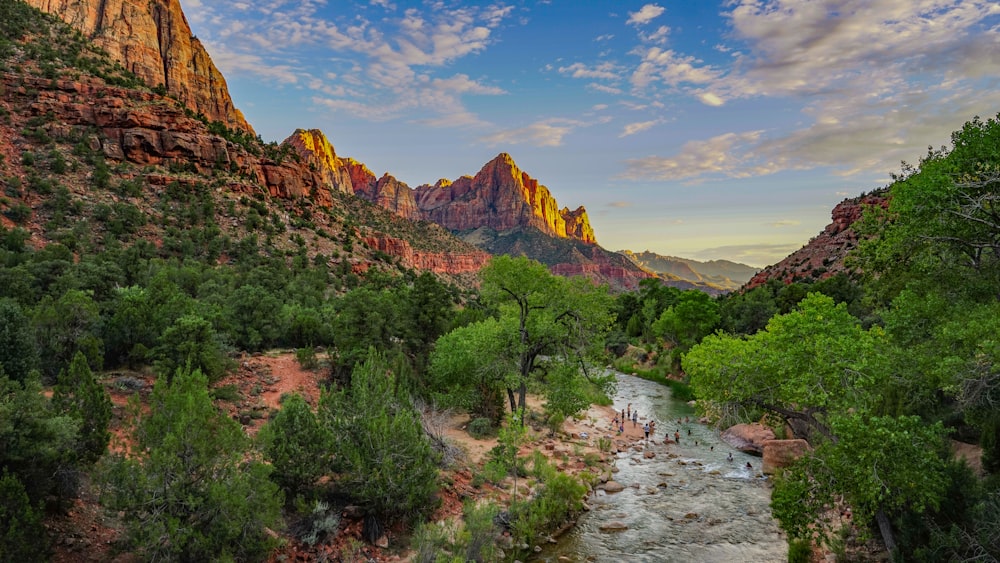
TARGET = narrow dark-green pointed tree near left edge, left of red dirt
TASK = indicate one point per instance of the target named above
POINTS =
(78, 394)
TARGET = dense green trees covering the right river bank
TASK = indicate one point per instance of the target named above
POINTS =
(879, 383)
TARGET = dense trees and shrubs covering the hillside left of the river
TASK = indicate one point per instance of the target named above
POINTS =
(108, 282)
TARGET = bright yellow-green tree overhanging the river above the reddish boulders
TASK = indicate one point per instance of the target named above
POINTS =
(806, 364)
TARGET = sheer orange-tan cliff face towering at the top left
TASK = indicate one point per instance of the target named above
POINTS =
(152, 39)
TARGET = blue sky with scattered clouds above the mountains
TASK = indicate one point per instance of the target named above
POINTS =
(692, 128)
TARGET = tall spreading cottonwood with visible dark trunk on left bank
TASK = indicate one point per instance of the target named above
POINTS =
(540, 315)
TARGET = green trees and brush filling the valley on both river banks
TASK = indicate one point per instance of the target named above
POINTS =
(108, 286)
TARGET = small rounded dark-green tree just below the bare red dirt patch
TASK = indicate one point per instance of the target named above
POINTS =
(298, 446)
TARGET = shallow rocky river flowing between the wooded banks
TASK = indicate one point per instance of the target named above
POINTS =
(689, 503)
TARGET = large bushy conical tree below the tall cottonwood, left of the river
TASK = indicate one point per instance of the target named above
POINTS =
(384, 459)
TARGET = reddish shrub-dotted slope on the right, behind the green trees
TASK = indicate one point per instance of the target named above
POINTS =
(824, 255)
